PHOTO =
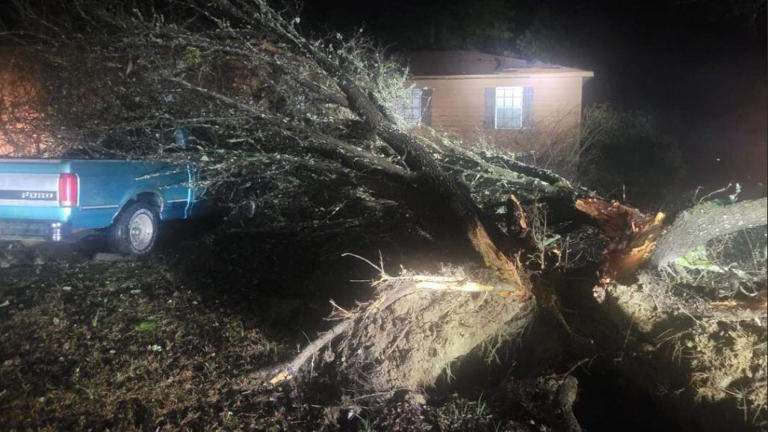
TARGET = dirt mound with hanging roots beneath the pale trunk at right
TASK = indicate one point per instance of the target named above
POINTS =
(706, 359)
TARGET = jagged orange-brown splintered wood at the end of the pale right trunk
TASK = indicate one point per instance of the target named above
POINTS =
(632, 236)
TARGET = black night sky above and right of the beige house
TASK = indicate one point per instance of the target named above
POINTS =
(696, 68)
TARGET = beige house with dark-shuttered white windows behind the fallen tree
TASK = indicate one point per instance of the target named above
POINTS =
(506, 102)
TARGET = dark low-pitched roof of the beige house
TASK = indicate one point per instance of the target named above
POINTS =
(460, 63)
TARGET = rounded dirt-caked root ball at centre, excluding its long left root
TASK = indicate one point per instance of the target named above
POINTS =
(408, 344)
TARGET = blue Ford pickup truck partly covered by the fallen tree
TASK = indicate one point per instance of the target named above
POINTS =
(64, 200)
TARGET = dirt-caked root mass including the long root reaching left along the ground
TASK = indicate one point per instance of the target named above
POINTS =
(415, 327)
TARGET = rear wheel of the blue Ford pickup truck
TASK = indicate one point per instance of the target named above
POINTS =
(143, 219)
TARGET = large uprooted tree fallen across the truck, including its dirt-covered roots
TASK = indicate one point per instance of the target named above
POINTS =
(290, 131)
